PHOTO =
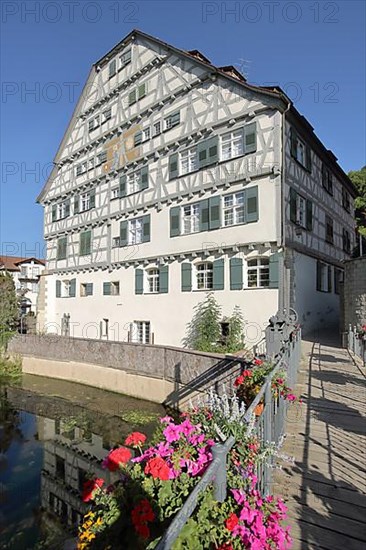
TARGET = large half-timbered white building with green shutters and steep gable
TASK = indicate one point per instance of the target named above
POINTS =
(175, 178)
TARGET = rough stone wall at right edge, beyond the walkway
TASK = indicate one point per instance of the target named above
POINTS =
(353, 295)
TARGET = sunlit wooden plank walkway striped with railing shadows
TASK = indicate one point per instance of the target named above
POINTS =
(325, 489)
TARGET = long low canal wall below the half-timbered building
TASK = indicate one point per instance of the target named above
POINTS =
(156, 373)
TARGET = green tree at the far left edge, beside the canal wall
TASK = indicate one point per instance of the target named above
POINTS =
(9, 307)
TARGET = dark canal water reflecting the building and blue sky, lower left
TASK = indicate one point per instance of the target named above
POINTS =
(49, 445)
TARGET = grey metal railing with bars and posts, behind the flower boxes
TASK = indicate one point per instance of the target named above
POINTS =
(269, 426)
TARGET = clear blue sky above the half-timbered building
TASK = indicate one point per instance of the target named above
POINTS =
(314, 50)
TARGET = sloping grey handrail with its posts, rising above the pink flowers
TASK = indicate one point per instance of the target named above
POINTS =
(216, 471)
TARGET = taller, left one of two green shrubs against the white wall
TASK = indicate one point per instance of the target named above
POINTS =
(204, 330)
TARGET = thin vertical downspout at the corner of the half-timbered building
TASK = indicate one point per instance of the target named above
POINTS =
(283, 290)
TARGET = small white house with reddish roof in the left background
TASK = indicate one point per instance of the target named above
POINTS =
(26, 274)
